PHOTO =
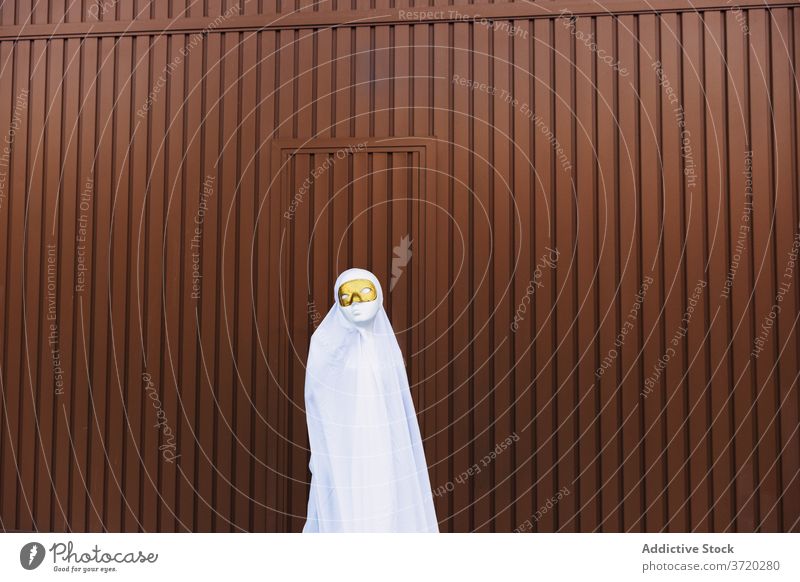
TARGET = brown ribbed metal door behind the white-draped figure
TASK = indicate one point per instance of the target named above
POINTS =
(345, 203)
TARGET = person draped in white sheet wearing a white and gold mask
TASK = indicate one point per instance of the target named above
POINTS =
(368, 470)
